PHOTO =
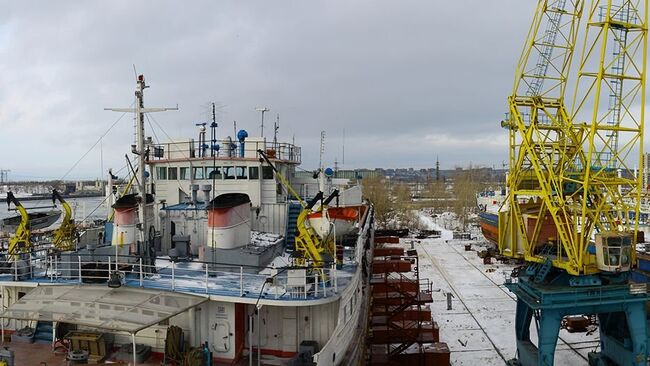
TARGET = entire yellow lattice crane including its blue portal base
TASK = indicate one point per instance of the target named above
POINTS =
(572, 179)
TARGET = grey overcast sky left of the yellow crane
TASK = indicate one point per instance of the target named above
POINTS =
(406, 80)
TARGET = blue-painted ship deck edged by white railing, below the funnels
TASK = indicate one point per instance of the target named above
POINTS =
(194, 277)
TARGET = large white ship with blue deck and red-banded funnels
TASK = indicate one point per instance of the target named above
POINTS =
(211, 239)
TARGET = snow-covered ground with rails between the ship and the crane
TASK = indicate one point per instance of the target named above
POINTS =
(480, 327)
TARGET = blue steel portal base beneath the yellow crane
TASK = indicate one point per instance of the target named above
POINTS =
(622, 317)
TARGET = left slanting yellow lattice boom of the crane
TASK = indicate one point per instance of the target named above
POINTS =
(544, 144)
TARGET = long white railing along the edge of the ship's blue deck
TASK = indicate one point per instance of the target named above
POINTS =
(183, 276)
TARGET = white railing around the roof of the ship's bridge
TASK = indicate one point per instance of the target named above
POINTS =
(227, 149)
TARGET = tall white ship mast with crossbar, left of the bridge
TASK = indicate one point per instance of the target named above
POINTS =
(140, 151)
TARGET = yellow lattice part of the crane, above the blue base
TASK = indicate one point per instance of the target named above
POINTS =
(572, 174)
